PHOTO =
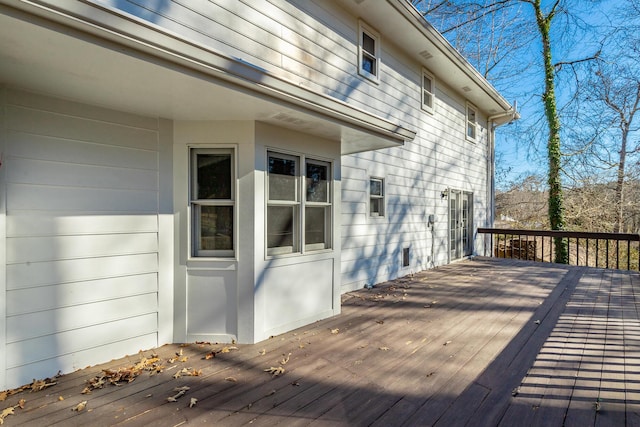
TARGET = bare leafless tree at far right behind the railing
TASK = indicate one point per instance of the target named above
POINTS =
(606, 136)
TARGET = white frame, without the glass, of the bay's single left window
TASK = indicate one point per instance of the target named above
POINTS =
(195, 204)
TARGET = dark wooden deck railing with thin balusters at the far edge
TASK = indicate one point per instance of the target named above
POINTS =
(606, 250)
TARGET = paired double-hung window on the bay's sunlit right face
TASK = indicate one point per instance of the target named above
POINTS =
(288, 212)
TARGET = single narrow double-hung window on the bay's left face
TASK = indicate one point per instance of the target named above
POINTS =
(212, 202)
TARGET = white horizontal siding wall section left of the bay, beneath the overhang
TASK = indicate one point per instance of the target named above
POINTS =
(82, 200)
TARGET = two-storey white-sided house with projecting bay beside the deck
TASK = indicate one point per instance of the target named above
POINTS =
(222, 170)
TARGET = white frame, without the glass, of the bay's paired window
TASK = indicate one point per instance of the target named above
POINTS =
(300, 247)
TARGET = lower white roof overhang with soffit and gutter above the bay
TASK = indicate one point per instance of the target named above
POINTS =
(97, 56)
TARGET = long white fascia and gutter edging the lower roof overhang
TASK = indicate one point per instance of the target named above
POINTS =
(129, 34)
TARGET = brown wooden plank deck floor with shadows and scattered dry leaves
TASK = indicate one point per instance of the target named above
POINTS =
(482, 342)
